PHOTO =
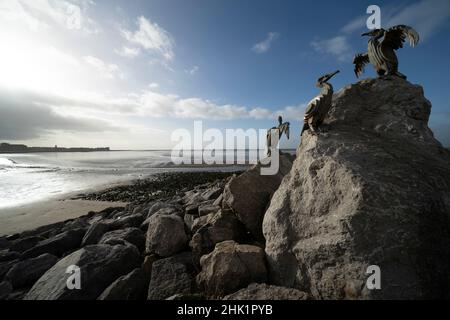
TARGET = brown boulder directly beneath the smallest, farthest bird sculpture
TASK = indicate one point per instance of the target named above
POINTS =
(248, 194)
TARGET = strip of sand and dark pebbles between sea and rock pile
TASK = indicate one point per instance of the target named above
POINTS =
(75, 204)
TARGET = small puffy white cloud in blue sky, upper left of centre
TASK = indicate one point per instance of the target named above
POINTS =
(151, 37)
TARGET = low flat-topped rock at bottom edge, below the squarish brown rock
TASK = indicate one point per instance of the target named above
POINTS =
(257, 291)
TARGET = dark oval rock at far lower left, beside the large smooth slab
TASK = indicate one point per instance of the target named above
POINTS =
(27, 272)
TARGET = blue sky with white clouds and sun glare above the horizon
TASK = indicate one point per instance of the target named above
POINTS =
(126, 74)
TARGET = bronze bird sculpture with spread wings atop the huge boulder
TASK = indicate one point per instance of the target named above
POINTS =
(381, 53)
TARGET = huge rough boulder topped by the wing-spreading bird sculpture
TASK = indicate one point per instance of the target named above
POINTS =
(373, 190)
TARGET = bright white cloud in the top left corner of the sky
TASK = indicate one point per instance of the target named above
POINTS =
(43, 14)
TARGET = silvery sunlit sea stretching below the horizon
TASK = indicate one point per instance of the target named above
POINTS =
(34, 177)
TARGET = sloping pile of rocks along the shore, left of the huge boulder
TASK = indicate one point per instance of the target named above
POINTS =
(202, 243)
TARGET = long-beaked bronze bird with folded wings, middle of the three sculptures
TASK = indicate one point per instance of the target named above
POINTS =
(319, 106)
